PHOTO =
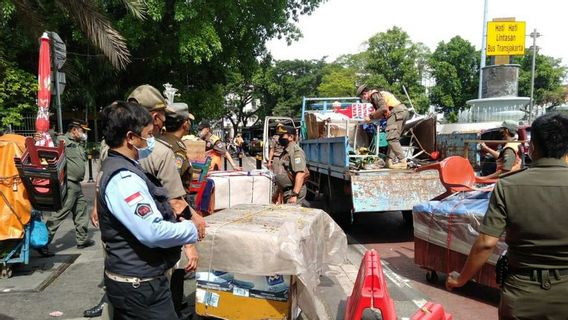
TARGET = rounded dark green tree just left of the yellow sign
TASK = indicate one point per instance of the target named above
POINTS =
(455, 68)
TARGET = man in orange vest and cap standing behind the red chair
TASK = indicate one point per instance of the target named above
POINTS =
(508, 159)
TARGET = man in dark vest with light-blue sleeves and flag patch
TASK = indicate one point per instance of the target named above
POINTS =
(138, 226)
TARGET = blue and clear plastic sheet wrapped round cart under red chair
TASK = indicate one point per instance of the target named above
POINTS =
(453, 222)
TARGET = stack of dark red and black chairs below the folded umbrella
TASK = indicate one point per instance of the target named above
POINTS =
(44, 174)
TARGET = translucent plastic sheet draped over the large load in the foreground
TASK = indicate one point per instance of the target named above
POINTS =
(266, 240)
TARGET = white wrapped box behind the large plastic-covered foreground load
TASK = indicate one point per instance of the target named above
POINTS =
(237, 187)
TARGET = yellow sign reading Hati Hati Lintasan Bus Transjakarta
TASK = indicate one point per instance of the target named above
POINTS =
(506, 38)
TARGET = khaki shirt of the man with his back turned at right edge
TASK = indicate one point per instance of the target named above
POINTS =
(531, 207)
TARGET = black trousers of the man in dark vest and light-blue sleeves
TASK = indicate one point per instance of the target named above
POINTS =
(152, 300)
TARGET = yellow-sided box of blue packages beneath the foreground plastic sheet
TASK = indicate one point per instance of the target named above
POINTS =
(229, 295)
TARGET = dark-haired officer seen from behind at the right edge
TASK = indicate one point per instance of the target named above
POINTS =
(529, 206)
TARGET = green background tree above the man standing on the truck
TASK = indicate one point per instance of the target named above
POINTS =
(394, 61)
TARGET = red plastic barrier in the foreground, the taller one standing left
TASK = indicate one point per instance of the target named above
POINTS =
(370, 290)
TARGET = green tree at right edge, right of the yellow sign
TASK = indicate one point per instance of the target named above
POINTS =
(549, 74)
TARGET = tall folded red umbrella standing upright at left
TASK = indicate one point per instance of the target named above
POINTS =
(44, 91)
